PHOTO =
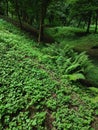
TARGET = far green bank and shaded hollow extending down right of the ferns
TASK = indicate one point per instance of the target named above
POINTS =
(76, 38)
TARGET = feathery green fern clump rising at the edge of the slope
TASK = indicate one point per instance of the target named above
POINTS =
(66, 61)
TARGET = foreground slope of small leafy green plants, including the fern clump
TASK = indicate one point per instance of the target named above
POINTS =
(39, 86)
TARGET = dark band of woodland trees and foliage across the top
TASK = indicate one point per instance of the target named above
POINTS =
(43, 13)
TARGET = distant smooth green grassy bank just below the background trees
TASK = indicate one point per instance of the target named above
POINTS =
(74, 36)
